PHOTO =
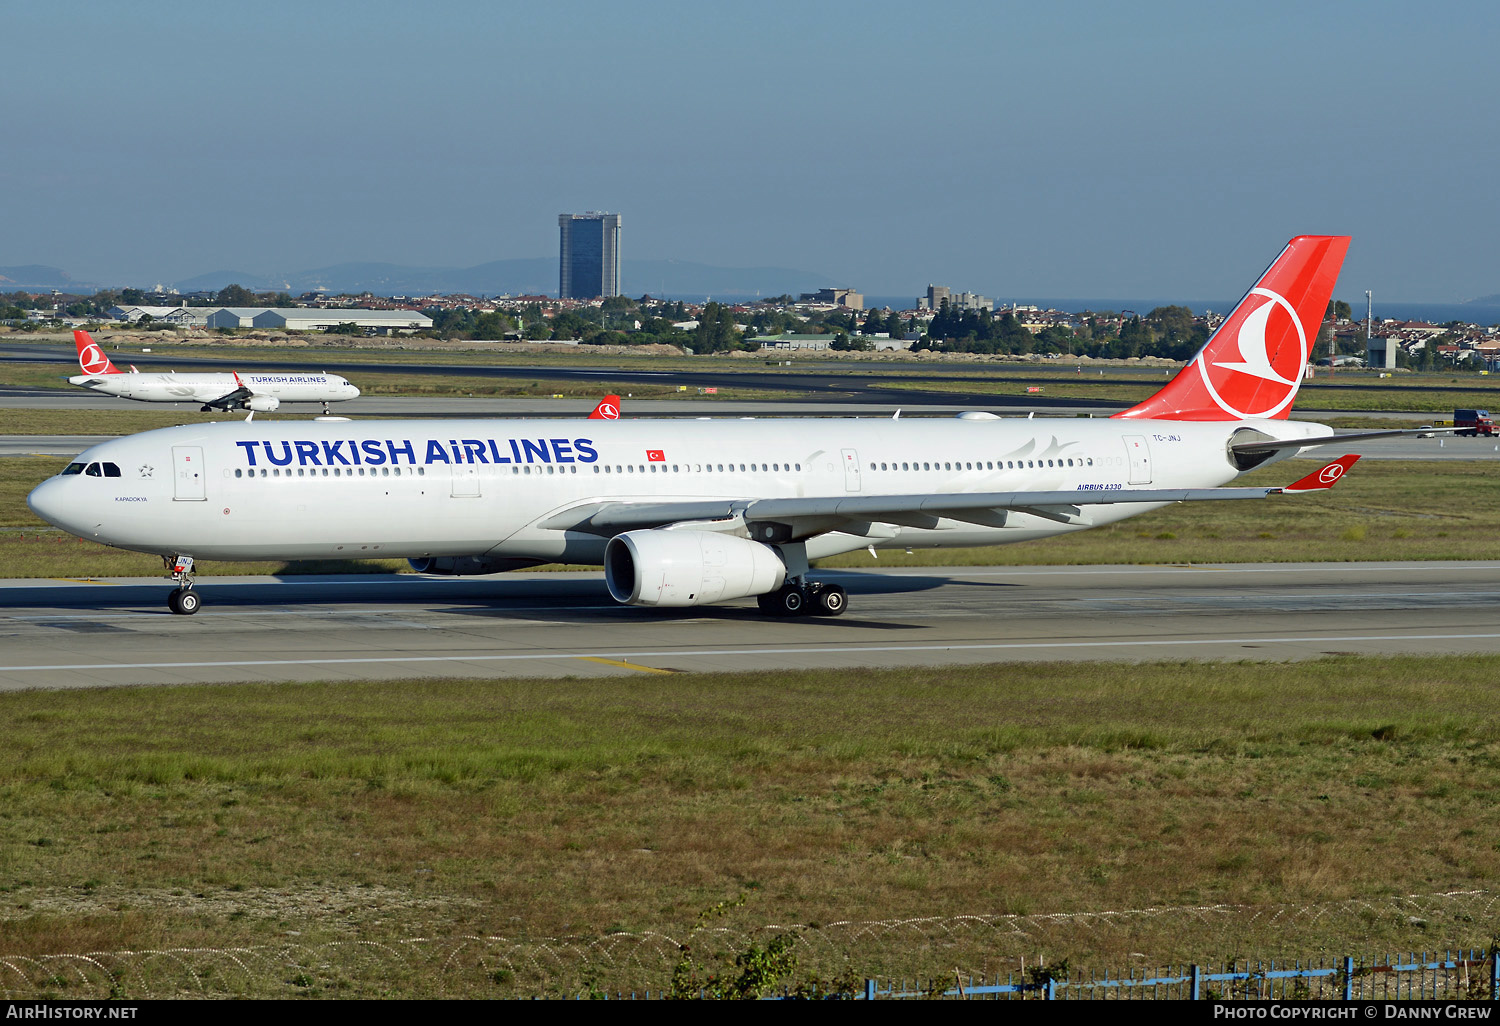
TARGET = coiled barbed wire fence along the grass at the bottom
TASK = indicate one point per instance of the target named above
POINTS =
(643, 962)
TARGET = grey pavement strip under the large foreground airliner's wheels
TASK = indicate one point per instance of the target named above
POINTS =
(59, 634)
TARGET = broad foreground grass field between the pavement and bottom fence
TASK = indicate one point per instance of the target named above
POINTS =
(221, 817)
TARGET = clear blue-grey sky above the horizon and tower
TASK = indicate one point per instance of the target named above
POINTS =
(1058, 149)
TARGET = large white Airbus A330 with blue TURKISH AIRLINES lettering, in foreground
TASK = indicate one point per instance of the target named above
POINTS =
(685, 514)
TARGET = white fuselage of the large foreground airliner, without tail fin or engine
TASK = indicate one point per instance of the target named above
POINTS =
(469, 488)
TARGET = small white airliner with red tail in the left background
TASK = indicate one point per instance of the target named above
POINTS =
(254, 392)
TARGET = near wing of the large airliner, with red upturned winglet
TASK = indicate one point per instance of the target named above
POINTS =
(791, 520)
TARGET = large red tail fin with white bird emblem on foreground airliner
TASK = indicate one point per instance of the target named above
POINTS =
(1252, 368)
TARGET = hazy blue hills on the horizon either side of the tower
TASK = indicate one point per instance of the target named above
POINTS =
(526, 277)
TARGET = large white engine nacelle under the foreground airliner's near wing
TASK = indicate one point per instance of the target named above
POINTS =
(689, 568)
